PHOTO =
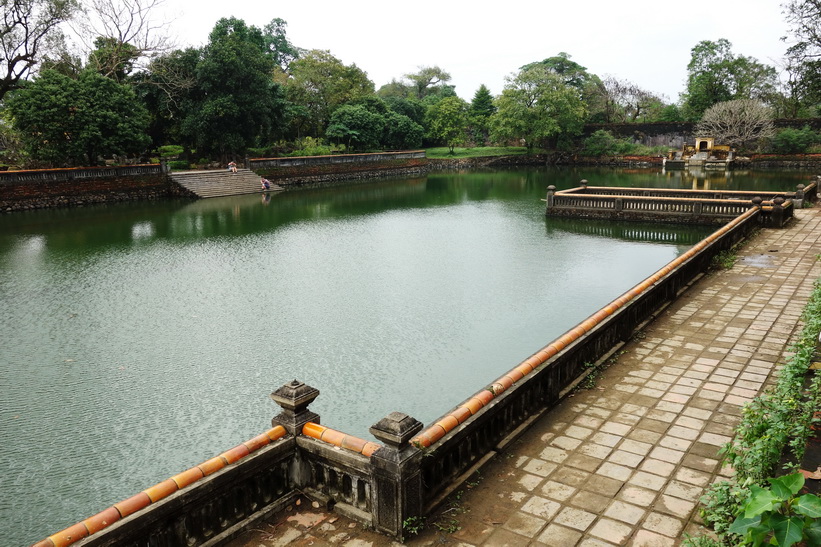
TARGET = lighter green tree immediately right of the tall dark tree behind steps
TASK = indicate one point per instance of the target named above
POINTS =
(321, 83)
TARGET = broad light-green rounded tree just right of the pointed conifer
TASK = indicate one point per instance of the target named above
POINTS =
(537, 107)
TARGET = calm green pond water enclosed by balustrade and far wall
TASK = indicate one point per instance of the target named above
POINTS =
(138, 340)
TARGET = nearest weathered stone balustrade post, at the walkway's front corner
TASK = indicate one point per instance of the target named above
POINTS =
(397, 474)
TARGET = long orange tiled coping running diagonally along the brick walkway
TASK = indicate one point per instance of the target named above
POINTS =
(474, 404)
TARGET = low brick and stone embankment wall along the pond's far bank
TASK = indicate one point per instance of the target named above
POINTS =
(77, 187)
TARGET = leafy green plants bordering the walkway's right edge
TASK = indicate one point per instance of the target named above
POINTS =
(774, 426)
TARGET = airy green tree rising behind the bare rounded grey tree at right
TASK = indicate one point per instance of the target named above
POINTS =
(716, 75)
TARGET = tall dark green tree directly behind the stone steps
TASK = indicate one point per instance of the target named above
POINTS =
(236, 103)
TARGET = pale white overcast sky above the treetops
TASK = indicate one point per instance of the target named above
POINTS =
(643, 41)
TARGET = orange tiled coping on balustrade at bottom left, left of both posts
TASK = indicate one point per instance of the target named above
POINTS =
(105, 518)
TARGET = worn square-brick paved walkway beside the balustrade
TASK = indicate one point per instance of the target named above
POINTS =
(626, 462)
